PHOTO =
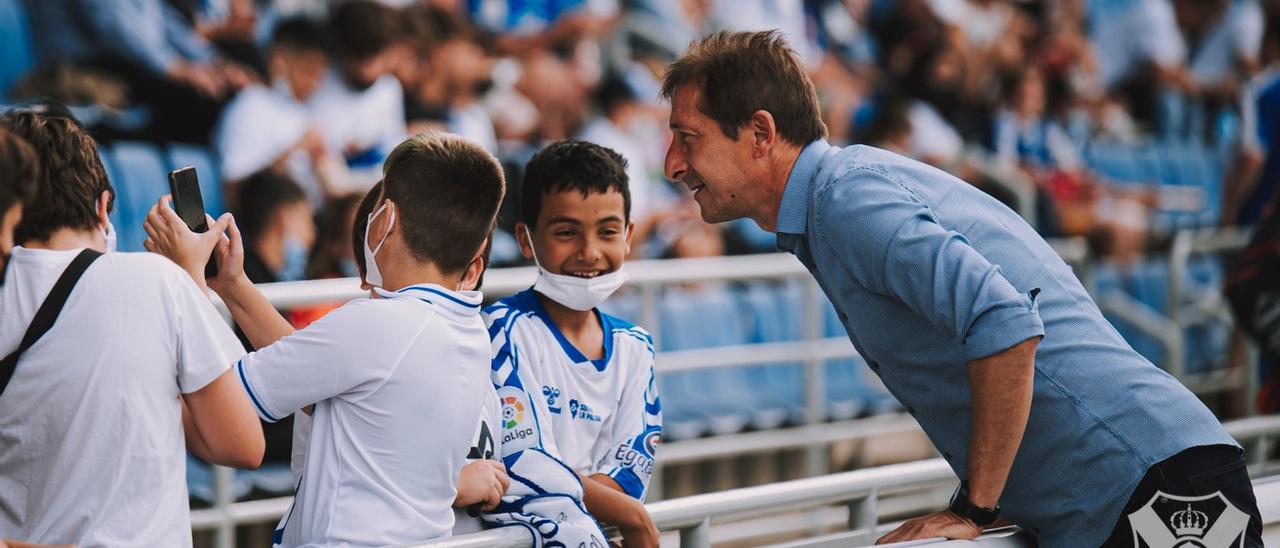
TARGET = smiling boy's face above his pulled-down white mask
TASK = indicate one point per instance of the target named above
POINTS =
(579, 236)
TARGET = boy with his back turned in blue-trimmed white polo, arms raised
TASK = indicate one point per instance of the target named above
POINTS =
(397, 382)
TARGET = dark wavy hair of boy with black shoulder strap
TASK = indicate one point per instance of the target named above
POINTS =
(71, 176)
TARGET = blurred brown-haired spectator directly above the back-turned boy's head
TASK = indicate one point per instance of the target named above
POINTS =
(444, 86)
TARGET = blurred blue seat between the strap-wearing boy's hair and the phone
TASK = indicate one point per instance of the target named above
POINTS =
(140, 179)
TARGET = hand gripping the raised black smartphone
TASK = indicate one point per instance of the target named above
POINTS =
(168, 235)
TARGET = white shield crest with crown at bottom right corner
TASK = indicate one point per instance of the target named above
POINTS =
(1173, 522)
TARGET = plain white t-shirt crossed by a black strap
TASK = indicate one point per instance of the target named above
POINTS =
(92, 444)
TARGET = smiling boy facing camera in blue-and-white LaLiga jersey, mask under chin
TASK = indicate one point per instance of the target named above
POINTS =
(575, 382)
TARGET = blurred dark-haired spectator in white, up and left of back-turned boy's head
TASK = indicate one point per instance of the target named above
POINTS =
(360, 106)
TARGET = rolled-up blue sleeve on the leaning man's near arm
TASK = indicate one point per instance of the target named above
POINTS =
(892, 243)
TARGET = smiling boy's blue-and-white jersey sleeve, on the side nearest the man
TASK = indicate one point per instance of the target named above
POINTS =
(634, 432)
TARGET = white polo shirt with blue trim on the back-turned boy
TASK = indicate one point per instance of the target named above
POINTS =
(397, 386)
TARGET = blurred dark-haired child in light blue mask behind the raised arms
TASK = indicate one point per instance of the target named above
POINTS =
(280, 229)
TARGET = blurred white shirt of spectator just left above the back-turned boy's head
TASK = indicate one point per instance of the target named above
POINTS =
(362, 126)
